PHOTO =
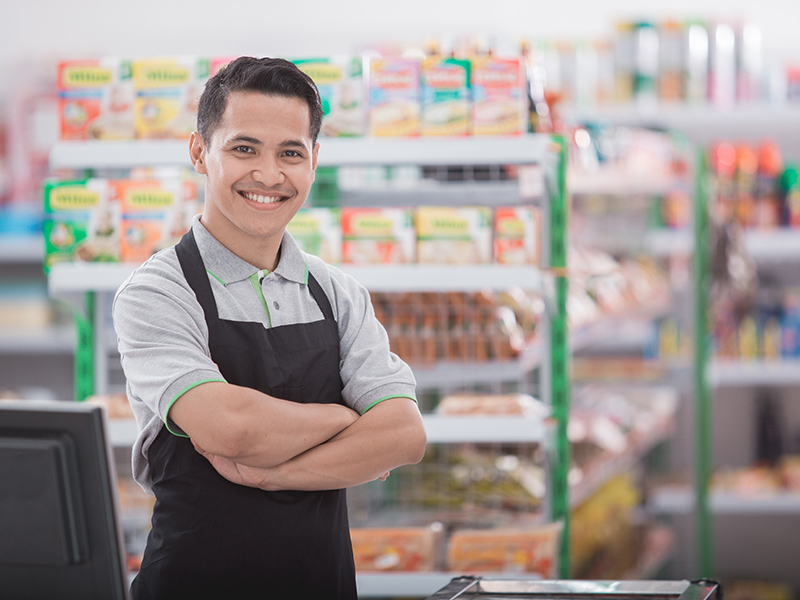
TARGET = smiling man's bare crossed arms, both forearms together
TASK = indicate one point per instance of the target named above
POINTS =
(253, 439)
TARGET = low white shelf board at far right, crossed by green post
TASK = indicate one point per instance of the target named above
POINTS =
(680, 500)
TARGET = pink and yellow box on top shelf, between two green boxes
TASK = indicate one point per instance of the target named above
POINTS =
(394, 97)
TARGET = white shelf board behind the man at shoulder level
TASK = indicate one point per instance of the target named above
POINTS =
(107, 277)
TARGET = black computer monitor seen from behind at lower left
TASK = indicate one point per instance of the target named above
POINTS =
(60, 535)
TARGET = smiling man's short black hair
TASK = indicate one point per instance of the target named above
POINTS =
(266, 75)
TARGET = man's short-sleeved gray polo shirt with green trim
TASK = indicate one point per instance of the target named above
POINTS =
(163, 337)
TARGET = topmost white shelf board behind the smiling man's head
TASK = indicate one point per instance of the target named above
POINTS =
(333, 152)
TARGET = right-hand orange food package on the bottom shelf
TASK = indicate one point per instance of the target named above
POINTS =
(525, 550)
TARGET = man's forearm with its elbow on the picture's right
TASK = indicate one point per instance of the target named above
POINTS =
(388, 436)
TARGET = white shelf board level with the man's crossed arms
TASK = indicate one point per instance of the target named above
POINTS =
(440, 430)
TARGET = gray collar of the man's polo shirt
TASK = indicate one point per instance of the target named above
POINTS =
(229, 268)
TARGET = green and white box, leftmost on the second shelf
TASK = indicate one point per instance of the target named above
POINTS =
(81, 222)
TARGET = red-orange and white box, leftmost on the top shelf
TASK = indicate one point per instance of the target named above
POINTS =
(96, 99)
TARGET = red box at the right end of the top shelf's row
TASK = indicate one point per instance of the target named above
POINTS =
(499, 99)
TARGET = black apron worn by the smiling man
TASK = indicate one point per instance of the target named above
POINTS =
(214, 539)
